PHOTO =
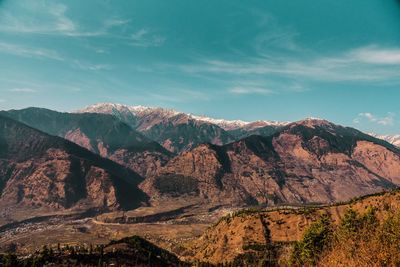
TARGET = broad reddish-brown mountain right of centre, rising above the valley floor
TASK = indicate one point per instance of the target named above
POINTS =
(304, 162)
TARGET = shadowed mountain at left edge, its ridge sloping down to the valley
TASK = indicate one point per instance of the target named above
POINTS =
(39, 170)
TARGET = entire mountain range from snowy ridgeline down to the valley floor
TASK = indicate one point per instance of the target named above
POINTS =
(171, 154)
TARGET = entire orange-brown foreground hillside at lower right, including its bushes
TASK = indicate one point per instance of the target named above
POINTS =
(246, 235)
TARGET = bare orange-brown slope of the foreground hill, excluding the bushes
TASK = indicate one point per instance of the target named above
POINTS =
(244, 231)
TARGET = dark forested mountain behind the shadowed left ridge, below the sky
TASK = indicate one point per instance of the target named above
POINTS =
(100, 133)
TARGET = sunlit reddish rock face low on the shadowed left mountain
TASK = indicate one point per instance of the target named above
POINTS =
(60, 181)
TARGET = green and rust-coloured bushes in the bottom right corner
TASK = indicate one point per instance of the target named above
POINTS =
(359, 240)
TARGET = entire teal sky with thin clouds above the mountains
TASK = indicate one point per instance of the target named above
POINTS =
(233, 59)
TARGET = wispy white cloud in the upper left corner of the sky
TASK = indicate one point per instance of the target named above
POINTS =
(53, 18)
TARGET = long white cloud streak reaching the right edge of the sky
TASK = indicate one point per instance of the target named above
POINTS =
(352, 65)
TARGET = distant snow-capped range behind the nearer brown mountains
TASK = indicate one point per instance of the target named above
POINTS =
(162, 125)
